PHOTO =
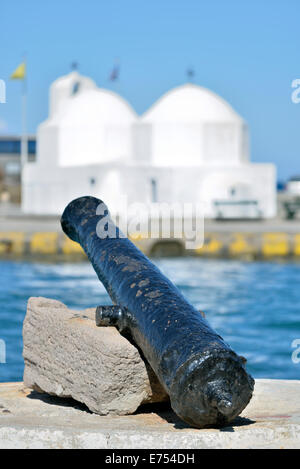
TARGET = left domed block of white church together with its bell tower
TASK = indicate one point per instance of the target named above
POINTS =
(87, 125)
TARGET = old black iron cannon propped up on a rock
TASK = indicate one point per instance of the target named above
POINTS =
(205, 379)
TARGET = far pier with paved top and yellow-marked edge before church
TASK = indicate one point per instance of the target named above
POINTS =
(41, 236)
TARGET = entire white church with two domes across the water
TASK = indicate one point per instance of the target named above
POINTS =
(190, 146)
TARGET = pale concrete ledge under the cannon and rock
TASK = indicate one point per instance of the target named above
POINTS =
(32, 420)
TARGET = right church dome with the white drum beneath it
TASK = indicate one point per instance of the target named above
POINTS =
(192, 126)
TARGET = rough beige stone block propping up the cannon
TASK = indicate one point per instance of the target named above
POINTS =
(66, 355)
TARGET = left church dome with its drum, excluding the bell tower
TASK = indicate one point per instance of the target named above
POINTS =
(94, 128)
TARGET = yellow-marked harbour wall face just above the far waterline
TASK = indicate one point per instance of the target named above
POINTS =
(260, 245)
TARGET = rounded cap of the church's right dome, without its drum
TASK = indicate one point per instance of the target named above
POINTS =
(190, 103)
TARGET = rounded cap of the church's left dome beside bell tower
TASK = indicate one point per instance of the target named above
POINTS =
(95, 107)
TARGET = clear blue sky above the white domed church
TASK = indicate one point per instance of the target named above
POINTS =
(246, 51)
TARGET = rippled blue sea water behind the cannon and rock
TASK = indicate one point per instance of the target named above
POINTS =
(254, 306)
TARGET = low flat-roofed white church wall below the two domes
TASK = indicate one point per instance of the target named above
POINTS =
(148, 184)
